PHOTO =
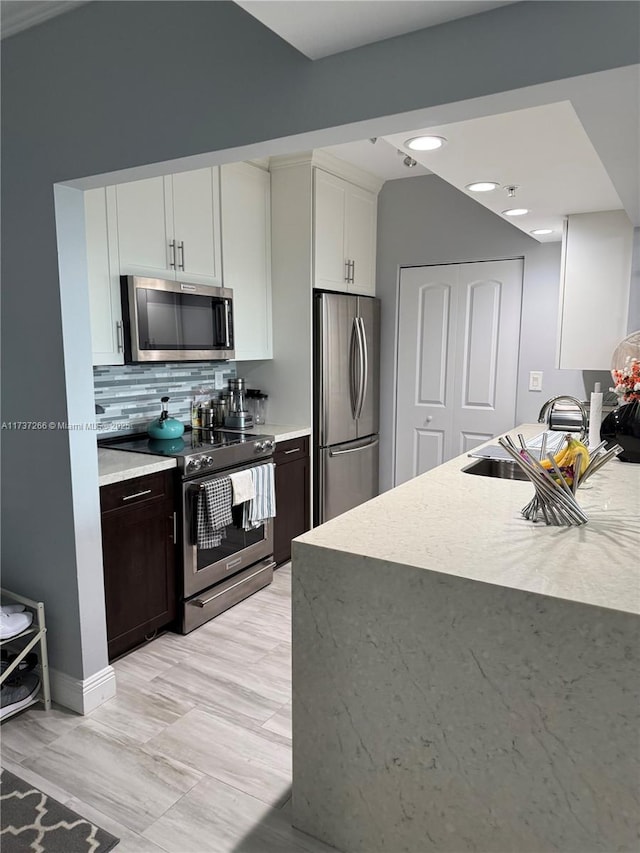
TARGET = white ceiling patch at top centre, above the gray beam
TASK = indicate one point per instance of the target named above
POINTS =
(321, 28)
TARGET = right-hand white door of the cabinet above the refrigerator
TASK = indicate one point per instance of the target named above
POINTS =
(360, 249)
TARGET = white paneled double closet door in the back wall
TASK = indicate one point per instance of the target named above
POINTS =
(458, 342)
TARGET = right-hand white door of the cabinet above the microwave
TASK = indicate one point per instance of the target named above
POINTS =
(196, 225)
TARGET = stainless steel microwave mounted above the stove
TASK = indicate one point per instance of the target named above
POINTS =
(175, 321)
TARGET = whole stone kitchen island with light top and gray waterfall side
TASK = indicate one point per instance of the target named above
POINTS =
(464, 679)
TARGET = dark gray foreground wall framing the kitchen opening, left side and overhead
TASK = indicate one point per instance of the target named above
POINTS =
(114, 85)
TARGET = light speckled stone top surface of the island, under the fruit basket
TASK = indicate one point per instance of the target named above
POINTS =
(458, 524)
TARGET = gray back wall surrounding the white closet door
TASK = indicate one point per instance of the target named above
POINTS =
(426, 221)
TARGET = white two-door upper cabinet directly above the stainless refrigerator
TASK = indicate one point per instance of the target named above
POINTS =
(344, 231)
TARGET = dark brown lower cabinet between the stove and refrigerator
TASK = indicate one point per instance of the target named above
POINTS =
(292, 495)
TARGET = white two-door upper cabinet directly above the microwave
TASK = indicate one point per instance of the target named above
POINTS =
(169, 227)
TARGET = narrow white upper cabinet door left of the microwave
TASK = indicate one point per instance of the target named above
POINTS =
(103, 276)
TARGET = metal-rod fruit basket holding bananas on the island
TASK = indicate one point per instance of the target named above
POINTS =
(555, 501)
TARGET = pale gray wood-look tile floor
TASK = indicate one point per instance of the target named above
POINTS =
(193, 755)
